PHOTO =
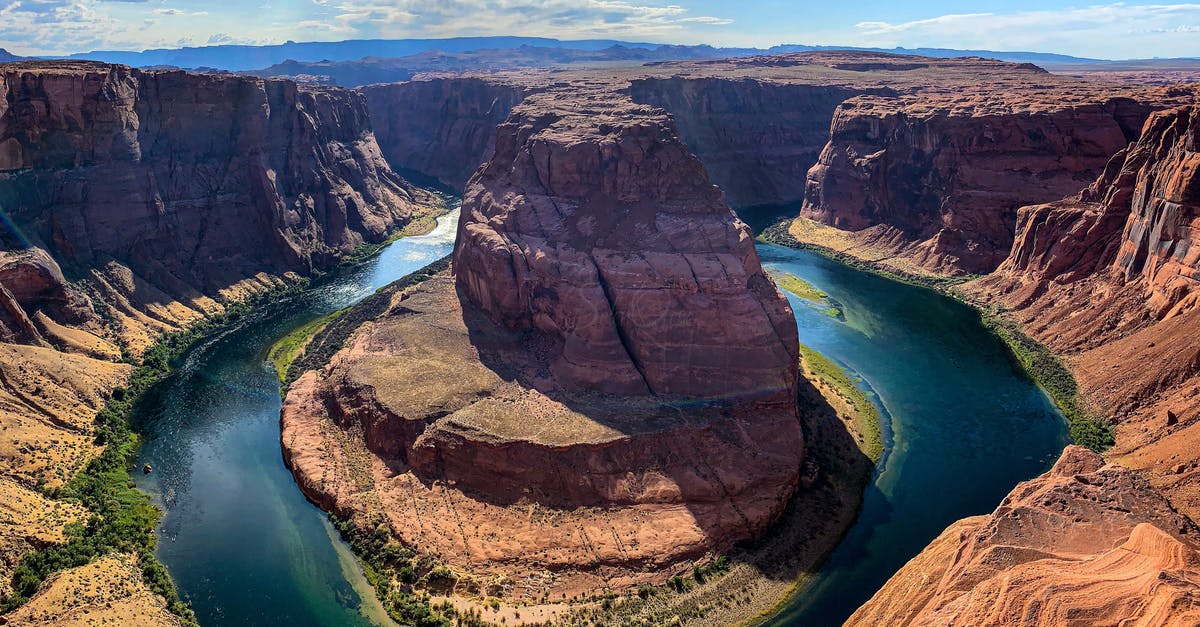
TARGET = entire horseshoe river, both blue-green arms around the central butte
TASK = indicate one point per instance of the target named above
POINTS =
(247, 548)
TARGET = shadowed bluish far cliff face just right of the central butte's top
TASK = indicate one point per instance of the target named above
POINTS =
(757, 139)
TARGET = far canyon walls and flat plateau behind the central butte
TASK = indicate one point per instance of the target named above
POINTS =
(920, 160)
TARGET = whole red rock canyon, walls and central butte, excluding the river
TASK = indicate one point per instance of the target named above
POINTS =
(601, 392)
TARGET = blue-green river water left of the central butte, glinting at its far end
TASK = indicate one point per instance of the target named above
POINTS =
(239, 539)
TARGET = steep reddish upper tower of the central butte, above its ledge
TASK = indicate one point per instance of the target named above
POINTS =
(599, 229)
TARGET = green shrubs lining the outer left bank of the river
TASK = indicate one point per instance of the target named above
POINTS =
(123, 519)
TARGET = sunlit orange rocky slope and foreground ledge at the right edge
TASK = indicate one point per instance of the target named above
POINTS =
(1107, 278)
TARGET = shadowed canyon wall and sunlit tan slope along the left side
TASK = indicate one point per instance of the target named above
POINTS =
(137, 204)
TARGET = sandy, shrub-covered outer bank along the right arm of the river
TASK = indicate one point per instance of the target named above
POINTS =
(1089, 428)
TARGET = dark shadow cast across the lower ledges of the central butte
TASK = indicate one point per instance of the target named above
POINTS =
(707, 465)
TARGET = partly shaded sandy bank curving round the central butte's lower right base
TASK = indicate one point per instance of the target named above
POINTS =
(752, 583)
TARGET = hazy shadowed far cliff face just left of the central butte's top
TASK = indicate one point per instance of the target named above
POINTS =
(443, 129)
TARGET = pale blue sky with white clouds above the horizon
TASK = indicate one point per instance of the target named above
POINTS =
(1114, 31)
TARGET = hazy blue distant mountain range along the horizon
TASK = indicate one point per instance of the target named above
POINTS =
(291, 58)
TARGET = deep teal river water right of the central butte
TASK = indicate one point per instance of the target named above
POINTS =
(965, 425)
